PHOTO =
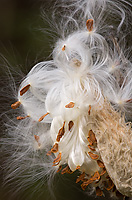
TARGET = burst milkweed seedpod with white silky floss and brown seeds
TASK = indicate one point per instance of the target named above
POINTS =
(78, 104)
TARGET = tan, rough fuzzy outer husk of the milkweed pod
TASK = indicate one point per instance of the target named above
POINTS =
(115, 146)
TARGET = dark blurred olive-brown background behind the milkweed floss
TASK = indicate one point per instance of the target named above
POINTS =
(24, 41)
